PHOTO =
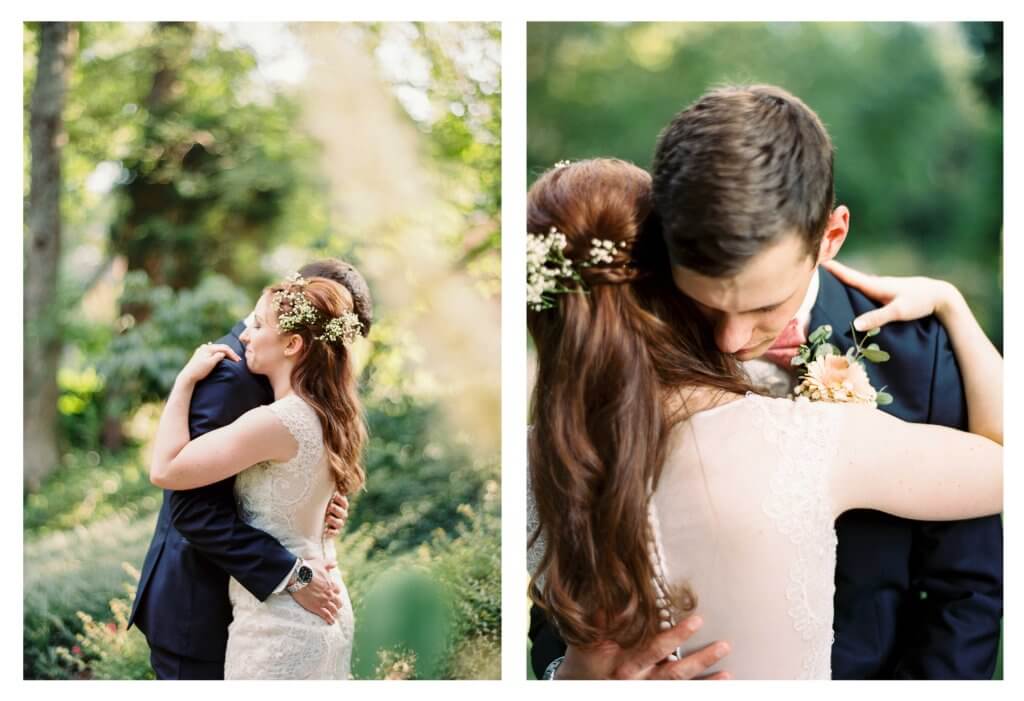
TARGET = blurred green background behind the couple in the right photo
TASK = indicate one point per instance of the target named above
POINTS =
(915, 112)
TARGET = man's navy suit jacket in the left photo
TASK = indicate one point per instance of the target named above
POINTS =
(182, 604)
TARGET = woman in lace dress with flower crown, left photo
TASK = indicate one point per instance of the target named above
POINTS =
(290, 457)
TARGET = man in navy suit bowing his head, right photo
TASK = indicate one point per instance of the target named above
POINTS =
(743, 186)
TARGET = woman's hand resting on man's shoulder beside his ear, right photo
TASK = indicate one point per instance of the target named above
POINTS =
(905, 299)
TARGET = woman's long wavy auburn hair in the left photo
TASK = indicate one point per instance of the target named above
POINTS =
(325, 378)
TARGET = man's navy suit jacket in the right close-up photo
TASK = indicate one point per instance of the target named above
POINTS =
(914, 599)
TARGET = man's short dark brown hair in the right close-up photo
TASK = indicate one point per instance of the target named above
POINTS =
(738, 170)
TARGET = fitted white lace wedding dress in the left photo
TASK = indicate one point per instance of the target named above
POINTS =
(278, 639)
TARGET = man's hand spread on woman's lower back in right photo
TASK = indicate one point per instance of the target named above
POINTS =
(609, 662)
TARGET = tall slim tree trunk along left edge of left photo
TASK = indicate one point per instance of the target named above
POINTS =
(42, 316)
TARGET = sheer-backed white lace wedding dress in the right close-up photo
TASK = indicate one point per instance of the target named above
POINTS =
(742, 514)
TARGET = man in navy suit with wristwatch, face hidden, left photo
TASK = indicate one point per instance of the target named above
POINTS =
(182, 604)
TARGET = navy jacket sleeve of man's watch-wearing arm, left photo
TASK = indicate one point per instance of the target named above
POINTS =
(207, 517)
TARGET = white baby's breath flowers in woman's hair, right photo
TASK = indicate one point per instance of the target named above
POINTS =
(549, 273)
